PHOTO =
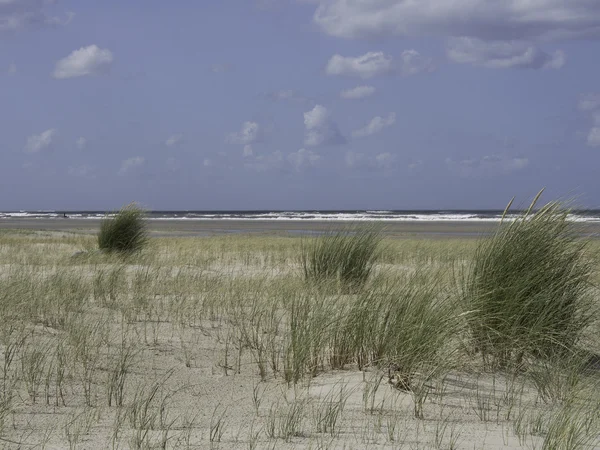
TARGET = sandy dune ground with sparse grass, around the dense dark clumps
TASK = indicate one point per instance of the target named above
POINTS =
(222, 343)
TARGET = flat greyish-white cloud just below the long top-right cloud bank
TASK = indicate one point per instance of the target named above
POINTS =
(502, 55)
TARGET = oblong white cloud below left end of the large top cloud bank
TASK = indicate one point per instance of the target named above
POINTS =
(366, 66)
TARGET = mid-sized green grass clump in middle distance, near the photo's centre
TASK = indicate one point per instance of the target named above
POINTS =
(345, 256)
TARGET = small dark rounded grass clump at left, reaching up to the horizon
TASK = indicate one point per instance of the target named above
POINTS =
(125, 232)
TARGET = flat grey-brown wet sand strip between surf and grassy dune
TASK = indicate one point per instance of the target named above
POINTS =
(180, 228)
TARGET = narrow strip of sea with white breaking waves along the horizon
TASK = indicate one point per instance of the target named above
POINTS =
(315, 216)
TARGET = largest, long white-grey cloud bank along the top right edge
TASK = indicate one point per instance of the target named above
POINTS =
(484, 19)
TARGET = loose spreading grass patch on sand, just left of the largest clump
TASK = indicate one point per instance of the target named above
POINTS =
(405, 327)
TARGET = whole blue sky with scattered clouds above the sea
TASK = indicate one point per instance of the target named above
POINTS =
(298, 104)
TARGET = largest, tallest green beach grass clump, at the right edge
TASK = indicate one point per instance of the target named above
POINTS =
(527, 287)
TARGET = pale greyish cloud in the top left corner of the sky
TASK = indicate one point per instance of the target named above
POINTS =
(16, 15)
